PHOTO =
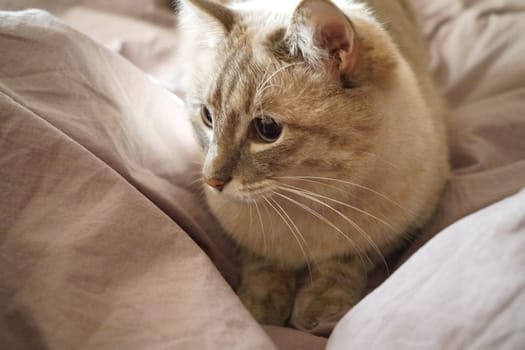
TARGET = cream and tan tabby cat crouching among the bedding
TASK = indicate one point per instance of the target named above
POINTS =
(324, 142)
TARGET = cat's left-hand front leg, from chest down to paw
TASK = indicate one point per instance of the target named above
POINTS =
(266, 290)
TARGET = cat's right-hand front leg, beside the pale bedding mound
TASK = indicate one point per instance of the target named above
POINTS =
(335, 285)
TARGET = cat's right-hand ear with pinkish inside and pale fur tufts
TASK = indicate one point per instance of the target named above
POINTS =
(321, 33)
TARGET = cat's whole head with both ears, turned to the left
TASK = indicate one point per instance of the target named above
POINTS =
(279, 94)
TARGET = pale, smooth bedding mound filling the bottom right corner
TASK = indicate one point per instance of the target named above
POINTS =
(463, 290)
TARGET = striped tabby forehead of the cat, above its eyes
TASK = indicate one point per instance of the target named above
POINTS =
(251, 78)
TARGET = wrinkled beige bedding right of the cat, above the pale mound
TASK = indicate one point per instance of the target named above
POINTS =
(477, 58)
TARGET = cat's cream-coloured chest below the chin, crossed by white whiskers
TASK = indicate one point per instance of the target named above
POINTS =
(289, 234)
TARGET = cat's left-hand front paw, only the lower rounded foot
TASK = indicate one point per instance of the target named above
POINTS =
(272, 307)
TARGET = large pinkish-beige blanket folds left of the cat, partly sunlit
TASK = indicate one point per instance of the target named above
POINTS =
(86, 260)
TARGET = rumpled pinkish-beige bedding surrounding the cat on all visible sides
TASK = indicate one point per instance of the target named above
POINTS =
(105, 242)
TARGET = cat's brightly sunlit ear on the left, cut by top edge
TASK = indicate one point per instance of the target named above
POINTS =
(210, 18)
